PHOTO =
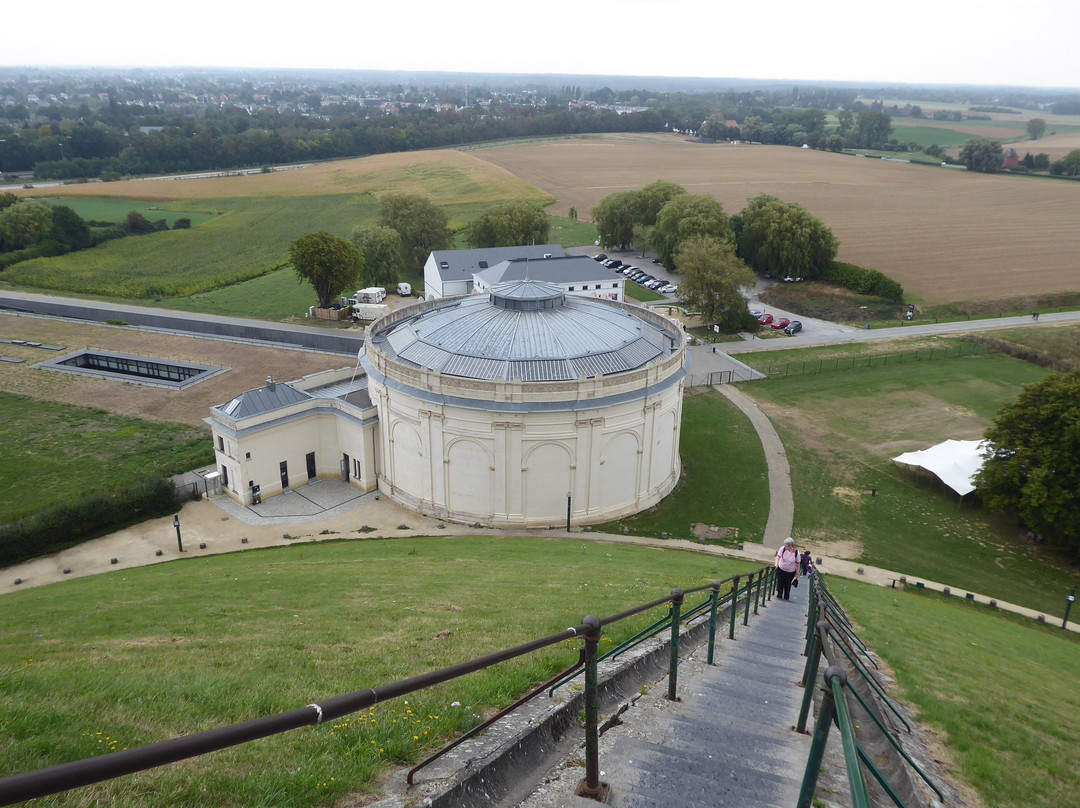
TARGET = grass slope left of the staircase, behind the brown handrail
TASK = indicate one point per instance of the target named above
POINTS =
(131, 658)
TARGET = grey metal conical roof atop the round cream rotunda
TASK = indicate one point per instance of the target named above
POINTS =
(529, 331)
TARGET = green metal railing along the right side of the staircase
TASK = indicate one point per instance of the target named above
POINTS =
(829, 629)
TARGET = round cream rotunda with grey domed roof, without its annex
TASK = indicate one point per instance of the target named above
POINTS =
(526, 407)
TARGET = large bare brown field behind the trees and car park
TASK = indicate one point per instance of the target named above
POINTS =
(946, 235)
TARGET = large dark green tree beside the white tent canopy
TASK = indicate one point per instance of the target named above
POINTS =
(1033, 460)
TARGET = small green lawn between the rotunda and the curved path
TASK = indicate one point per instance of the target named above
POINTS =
(724, 482)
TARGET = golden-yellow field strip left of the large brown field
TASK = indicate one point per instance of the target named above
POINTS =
(445, 177)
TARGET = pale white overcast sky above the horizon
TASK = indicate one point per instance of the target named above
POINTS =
(916, 42)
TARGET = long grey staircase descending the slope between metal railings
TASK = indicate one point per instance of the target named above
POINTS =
(727, 743)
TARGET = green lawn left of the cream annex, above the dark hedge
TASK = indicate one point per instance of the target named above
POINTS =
(53, 452)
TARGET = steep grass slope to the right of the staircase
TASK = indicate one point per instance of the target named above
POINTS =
(1001, 691)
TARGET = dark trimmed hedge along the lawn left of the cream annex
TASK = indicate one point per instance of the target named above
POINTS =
(61, 527)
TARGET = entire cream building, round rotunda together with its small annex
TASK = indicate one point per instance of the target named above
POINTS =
(504, 409)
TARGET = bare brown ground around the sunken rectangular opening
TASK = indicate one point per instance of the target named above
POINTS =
(250, 366)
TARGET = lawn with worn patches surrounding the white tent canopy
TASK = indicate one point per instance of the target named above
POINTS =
(841, 432)
